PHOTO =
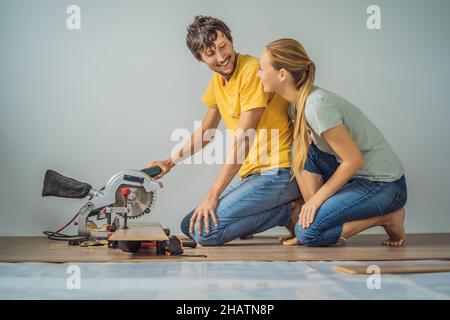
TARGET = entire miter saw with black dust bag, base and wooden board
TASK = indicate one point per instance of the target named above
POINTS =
(129, 194)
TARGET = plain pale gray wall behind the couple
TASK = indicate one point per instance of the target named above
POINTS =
(92, 102)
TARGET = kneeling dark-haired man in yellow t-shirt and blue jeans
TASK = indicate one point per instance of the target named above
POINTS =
(262, 136)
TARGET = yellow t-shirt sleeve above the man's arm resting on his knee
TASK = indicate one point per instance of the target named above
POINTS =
(251, 90)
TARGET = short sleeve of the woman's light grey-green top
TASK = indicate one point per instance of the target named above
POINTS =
(322, 114)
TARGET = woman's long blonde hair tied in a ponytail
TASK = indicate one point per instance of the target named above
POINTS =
(289, 54)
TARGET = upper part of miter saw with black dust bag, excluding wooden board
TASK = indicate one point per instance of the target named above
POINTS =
(129, 194)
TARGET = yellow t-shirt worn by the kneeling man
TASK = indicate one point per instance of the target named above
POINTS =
(243, 92)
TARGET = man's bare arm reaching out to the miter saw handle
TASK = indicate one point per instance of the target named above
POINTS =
(194, 144)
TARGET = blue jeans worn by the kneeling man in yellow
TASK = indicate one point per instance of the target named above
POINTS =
(254, 204)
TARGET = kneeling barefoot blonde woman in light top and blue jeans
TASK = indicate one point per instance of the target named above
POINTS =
(349, 176)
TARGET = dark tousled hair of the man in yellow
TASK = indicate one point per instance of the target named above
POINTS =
(202, 33)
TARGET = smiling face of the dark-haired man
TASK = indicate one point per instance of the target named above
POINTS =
(220, 57)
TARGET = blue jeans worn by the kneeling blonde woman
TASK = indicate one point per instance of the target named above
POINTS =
(358, 199)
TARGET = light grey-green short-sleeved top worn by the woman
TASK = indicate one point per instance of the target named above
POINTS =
(325, 110)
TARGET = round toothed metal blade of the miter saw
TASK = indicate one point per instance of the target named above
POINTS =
(139, 201)
